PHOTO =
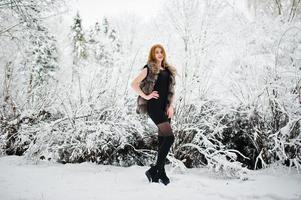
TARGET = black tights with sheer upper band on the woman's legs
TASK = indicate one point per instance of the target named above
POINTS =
(165, 139)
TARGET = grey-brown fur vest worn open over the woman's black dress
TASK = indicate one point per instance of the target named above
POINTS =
(147, 86)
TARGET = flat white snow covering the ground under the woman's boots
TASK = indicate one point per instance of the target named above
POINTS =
(27, 180)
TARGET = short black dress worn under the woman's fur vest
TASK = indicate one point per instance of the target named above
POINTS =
(156, 107)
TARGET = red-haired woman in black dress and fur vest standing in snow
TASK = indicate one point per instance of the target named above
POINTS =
(155, 86)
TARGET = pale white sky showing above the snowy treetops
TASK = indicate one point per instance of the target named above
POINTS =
(94, 10)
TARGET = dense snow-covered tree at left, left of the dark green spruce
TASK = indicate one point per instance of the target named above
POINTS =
(41, 62)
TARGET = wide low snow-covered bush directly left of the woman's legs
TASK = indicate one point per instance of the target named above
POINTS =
(108, 136)
